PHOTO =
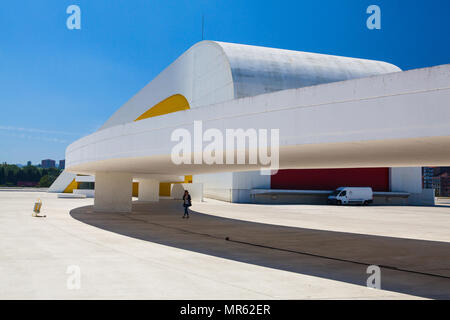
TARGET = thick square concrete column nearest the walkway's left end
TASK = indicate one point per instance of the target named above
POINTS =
(113, 192)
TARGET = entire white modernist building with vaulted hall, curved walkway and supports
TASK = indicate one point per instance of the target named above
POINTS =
(331, 112)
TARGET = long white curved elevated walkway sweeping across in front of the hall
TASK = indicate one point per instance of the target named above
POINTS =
(400, 119)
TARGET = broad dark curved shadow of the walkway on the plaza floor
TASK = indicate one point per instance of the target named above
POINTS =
(416, 267)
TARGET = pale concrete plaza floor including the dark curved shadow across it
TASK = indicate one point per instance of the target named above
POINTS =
(273, 251)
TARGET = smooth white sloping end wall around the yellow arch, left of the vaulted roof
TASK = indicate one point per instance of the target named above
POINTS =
(202, 75)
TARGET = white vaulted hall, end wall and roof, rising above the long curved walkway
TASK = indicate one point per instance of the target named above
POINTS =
(212, 72)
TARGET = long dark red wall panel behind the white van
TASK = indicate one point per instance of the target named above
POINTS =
(330, 179)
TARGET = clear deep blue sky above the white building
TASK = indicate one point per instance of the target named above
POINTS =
(57, 85)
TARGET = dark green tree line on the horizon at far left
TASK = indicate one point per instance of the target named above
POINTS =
(10, 175)
